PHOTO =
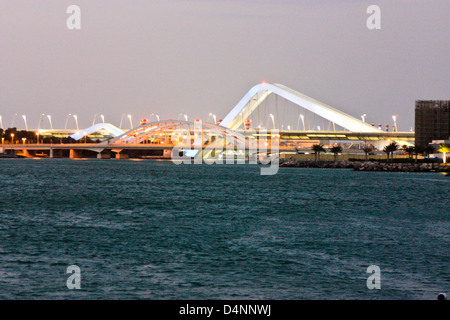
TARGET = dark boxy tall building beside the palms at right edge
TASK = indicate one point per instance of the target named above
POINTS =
(432, 121)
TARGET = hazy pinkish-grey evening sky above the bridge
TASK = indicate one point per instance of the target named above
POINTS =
(199, 56)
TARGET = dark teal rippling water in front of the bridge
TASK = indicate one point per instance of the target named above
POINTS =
(154, 230)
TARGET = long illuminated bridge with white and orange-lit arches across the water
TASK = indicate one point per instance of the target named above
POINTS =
(267, 113)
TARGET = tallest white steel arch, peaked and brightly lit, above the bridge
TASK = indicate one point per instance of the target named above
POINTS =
(248, 104)
